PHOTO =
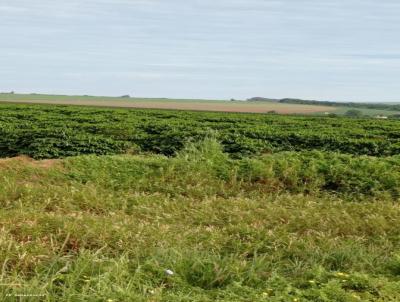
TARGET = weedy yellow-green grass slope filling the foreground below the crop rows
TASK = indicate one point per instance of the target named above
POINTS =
(280, 228)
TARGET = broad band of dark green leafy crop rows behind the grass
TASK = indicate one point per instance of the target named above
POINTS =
(43, 131)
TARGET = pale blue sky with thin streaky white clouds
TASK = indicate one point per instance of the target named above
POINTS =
(340, 50)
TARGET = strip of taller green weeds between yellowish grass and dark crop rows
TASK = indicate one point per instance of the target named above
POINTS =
(202, 169)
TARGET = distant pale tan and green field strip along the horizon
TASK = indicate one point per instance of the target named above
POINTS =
(191, 104)
